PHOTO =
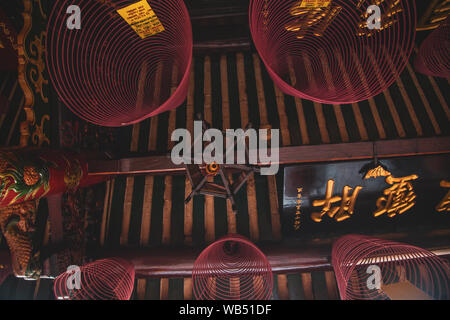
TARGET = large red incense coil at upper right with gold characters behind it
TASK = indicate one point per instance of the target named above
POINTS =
(325, 52)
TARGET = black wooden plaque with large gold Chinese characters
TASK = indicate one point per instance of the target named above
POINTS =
(410, 194)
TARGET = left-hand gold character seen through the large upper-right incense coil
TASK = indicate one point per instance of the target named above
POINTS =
(317, 18)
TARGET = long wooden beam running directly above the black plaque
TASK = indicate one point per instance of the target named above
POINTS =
(289, 155)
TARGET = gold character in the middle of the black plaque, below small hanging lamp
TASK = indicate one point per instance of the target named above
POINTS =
(399, 198)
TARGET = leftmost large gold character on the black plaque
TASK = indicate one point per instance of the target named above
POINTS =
(344, 211)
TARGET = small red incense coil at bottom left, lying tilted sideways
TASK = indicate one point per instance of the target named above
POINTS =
(106, 279)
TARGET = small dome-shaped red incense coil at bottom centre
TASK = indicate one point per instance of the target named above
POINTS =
(232, 268)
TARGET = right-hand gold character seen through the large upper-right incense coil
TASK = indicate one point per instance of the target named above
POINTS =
(387, 18)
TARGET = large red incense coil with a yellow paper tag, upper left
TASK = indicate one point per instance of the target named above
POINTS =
(110, 76)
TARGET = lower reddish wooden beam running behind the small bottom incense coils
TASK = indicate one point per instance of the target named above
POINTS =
(178, 262)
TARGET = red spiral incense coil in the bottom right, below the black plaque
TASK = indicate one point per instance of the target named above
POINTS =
(359, 260)
